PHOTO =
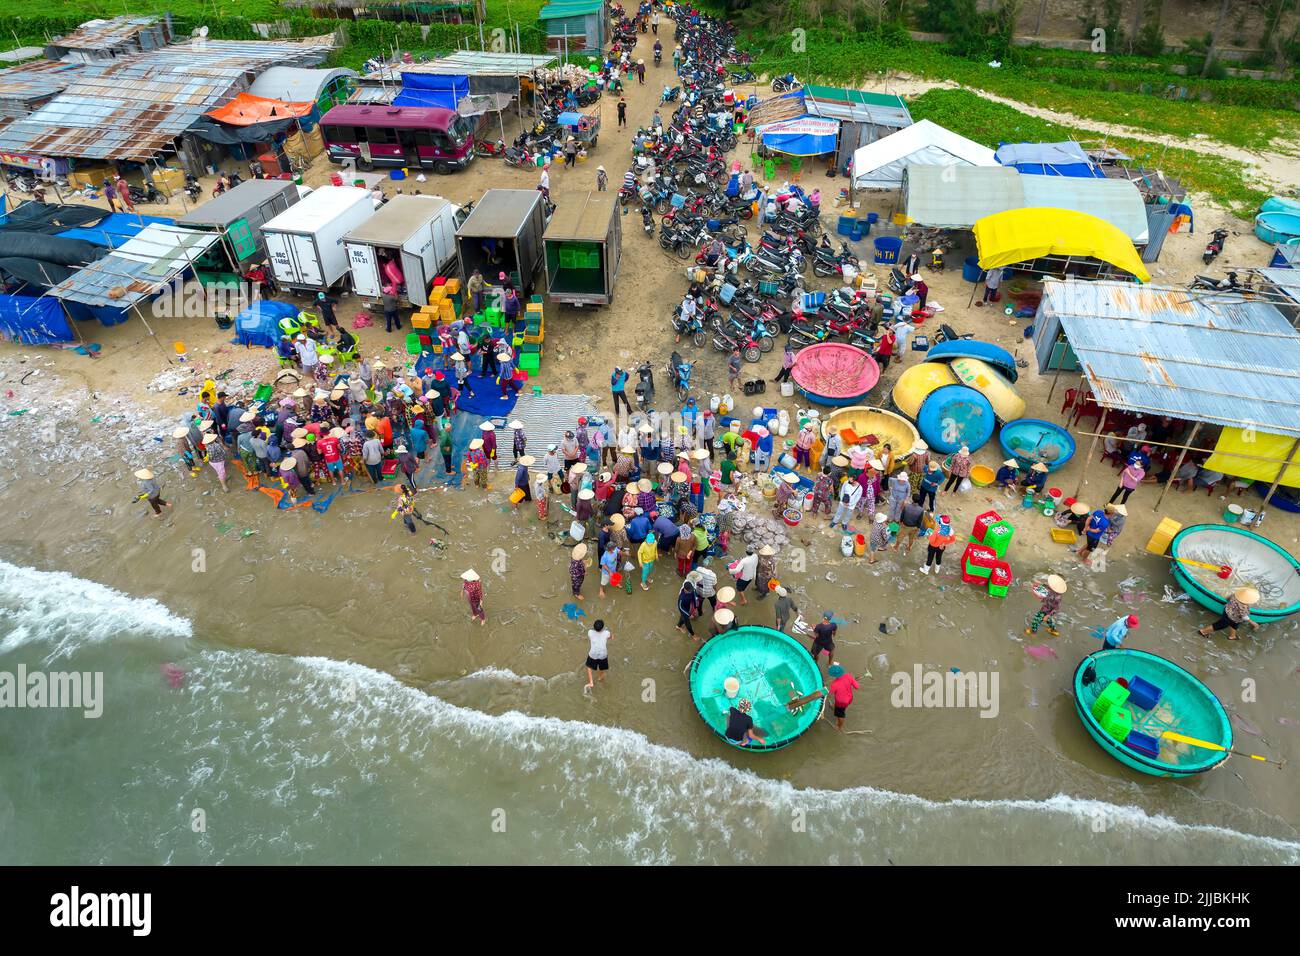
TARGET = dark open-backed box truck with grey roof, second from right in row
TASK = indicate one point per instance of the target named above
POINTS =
(504, 235)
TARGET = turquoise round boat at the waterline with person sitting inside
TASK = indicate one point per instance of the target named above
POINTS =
(773, 669)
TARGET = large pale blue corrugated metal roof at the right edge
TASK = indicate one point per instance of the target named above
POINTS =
(1217, 358)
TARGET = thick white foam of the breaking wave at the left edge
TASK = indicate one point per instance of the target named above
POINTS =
(66, 613)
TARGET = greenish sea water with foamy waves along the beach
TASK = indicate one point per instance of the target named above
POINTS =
(237, 756)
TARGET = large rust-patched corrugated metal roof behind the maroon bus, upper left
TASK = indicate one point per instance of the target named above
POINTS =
(136, 106)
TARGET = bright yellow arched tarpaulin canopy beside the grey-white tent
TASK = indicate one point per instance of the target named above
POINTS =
(1019, 236)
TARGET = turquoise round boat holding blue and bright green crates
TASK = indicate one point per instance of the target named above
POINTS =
(1129, 699)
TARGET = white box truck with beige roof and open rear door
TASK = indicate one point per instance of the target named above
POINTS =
(409, 243)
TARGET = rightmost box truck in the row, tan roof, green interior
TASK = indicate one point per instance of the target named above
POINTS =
(583, 248)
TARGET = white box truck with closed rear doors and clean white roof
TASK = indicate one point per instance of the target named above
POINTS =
(305, 243)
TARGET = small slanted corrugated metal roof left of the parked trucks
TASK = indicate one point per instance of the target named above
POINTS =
(138, 269)
